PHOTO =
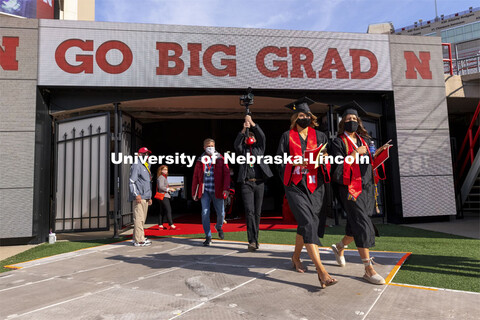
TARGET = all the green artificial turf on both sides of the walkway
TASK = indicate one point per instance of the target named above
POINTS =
(437, 260)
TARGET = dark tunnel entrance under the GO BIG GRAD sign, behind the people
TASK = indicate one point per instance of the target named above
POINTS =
(178, 123)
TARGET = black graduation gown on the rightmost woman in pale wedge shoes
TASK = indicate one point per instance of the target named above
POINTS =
(359, 225)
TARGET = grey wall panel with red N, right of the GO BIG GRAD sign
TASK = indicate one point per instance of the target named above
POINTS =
(422, 131)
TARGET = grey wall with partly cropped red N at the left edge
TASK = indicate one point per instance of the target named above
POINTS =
(17, 129)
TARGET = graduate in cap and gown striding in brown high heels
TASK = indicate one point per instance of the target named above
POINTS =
(304, 188)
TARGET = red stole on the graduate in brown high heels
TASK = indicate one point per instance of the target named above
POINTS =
(295, 148)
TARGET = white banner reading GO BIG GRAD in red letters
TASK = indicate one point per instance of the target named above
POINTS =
(133, 55)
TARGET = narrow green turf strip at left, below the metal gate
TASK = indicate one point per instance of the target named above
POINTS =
(46, 250)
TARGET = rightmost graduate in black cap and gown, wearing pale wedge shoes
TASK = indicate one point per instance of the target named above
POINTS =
(354, 186)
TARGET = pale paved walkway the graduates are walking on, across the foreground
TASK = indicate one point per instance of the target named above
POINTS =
(179, 278)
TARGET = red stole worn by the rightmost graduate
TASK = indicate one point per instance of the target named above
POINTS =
(352, 177)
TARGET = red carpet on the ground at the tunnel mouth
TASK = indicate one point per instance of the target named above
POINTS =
(193, 225)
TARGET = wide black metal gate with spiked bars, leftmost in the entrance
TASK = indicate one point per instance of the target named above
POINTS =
(82, 167)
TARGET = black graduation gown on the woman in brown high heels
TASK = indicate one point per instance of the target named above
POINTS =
(305, 206)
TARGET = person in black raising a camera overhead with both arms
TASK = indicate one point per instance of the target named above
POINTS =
(252, 176)
